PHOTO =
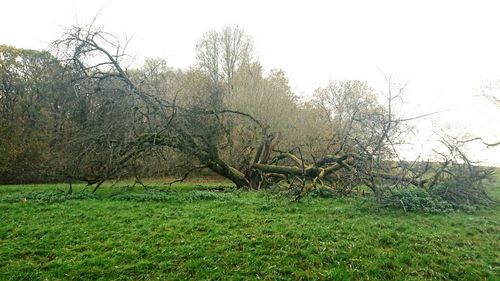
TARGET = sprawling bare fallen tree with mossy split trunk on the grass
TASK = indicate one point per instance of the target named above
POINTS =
(126, 120)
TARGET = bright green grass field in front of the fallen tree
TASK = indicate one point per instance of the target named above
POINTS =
(189, 234)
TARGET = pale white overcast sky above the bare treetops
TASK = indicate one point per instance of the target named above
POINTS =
(445, 50)
